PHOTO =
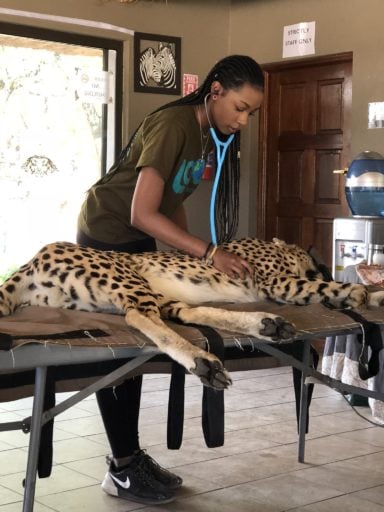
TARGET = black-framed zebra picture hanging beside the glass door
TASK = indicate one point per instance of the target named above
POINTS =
(157, 63)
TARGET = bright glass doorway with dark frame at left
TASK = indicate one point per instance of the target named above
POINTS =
(60, 131)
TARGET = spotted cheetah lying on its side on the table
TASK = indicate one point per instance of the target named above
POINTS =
(153, 287)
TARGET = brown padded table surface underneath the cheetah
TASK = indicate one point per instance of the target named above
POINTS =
(80, 328)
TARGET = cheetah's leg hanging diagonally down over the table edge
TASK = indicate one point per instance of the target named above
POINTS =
(204, 365)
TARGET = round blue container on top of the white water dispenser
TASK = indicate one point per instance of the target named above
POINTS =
(364, 186)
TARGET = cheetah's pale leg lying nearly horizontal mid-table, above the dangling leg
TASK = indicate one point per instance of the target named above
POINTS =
(262, 325)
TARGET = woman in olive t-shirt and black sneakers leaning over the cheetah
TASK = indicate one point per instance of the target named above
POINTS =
(140, 200)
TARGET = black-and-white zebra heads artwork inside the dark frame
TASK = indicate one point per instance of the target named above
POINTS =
(158, 66)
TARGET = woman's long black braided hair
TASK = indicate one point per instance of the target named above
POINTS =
(232, 72)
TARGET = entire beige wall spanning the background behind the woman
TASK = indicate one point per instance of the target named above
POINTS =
(211, 29)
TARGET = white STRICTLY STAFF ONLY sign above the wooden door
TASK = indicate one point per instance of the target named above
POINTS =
(299, 39)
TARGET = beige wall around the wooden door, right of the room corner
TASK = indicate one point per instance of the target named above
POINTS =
(256, 28)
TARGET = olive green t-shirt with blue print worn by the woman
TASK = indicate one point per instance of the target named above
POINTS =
(170, 142)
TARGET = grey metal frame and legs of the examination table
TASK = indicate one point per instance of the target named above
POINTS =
(60, 355)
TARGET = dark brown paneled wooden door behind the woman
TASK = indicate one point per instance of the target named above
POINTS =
(305, 135)
